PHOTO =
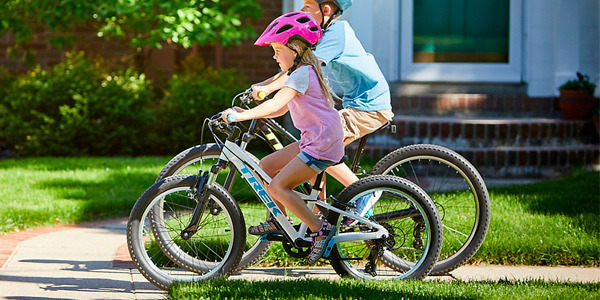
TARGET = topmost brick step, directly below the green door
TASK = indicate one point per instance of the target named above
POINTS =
(479, 105)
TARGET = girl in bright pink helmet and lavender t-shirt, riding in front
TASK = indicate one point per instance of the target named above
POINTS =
(307, 97)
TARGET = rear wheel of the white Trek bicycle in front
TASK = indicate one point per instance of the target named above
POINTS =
(415, 229)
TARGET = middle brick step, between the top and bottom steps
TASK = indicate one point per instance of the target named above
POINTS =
(479, 133)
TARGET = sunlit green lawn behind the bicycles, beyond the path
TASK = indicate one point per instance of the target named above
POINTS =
(546, 223)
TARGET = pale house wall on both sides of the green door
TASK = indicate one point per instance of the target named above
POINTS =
(559, 38)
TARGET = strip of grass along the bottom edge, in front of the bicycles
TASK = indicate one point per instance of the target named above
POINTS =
(357, 289)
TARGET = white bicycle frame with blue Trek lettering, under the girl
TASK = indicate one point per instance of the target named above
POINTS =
(257, 179)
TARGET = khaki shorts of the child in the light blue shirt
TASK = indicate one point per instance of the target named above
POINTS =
(357, 123)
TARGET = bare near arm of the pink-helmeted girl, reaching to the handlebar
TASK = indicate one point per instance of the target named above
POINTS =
(271, 108)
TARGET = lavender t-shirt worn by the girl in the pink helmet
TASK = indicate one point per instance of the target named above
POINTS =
(319, 124)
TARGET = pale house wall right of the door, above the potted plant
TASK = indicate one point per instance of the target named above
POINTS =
(562, 38)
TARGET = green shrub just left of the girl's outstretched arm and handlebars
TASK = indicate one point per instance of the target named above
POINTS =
(195, 92)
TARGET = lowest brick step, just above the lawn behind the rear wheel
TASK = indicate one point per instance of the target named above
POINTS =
(518, 162)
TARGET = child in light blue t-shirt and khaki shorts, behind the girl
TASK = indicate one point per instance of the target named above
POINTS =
(366, 101)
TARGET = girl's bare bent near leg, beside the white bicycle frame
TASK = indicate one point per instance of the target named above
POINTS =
(281, 188)
